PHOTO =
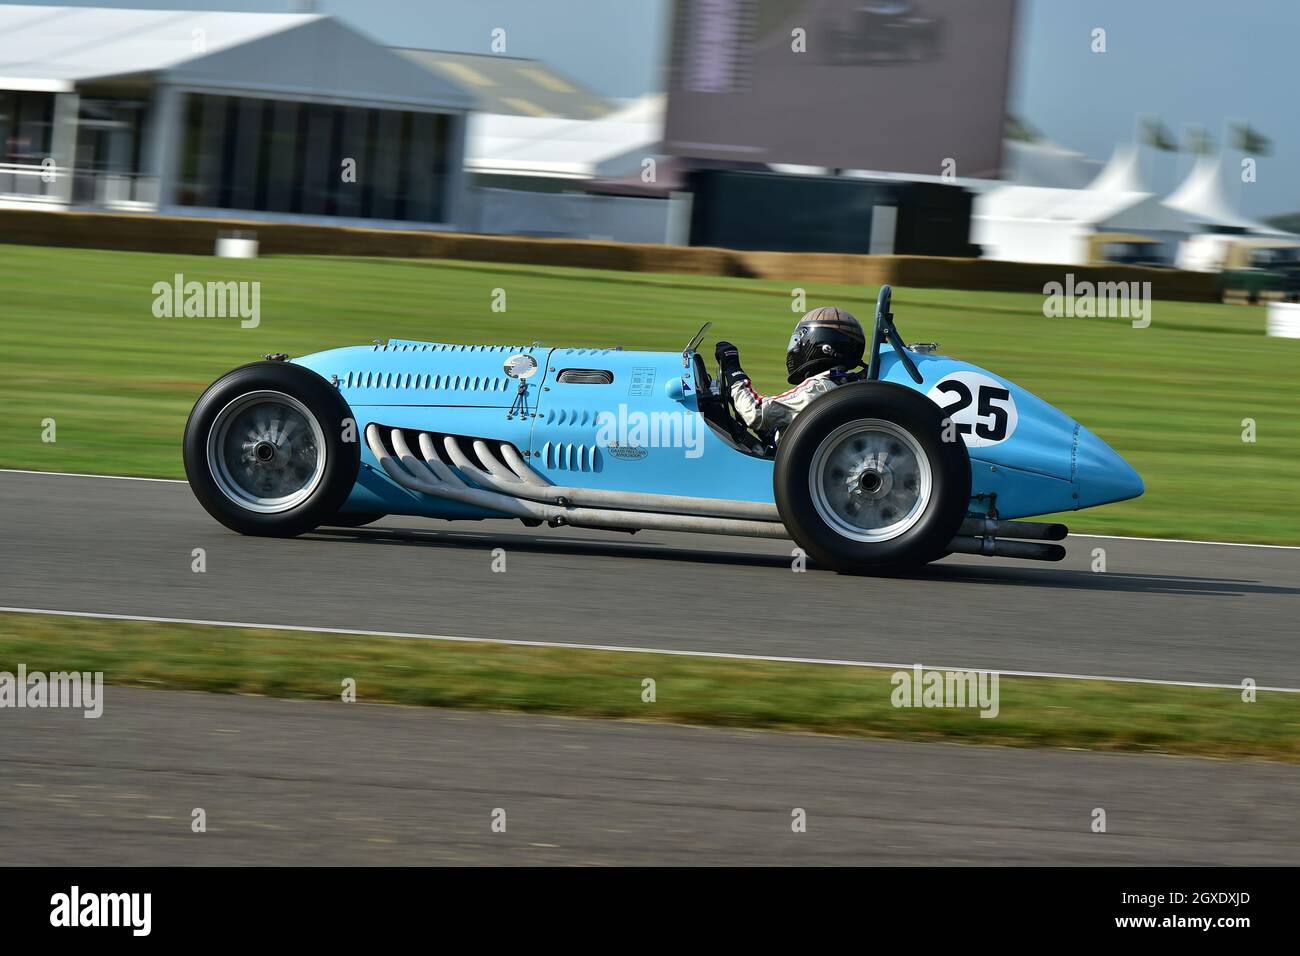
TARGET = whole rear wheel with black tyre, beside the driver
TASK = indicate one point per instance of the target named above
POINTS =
(865, 482)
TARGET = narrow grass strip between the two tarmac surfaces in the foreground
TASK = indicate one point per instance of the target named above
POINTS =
(853, 702)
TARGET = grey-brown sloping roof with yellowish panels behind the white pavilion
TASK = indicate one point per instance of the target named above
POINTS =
(514, 86)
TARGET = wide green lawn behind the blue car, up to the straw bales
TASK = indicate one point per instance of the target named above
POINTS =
(80, 344)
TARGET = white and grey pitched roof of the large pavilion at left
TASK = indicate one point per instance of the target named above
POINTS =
(62, 49)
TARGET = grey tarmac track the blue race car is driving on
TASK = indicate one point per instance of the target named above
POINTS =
(1162, 611)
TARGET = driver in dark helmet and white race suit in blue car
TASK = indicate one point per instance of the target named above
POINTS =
(827, 344)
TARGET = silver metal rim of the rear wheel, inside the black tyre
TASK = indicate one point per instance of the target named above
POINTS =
(870, 481)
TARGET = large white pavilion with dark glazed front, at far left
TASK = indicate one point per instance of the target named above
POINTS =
(285, 116)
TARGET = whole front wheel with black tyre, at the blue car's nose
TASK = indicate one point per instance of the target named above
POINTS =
(266, 451)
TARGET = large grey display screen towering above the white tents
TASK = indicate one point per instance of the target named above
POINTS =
(913, 86)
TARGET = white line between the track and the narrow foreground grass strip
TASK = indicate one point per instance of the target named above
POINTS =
(714, 655)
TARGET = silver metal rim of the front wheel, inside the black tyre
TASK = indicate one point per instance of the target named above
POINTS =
(267, 452)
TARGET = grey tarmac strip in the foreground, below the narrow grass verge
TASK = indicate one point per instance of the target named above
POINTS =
(317, 784)
